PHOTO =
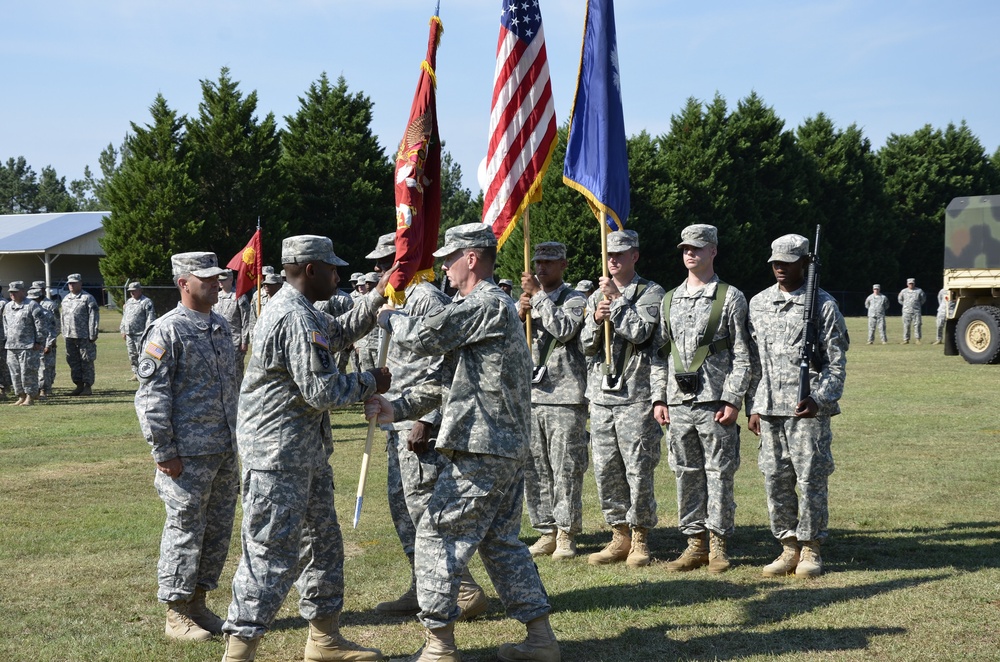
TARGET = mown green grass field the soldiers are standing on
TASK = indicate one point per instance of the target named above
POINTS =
(912, 559)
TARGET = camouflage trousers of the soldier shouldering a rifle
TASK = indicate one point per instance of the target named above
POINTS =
(796, 452)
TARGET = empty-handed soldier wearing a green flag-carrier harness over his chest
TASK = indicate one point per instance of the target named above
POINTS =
(697, 394)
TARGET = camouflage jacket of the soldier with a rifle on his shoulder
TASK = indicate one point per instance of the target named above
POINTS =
(776, 327)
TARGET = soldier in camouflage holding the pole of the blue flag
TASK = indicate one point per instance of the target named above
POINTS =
(625, 438)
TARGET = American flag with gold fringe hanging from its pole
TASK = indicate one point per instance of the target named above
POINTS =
(522, 120)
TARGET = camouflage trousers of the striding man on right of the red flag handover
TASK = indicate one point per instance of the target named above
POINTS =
(476, 504)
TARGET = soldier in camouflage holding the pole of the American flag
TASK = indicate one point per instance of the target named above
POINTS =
(553, 479)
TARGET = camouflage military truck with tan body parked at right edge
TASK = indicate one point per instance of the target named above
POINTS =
(972, 278)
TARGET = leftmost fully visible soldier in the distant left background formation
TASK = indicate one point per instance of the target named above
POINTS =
(26, 331)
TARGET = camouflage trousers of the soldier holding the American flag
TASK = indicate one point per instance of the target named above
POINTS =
(553, 478)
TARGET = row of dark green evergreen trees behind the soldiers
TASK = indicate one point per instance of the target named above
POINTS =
(180, 183)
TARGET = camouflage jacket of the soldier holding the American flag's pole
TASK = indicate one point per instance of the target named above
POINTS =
(565, 377)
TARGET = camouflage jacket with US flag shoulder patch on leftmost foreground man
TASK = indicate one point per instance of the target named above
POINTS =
(186, 402)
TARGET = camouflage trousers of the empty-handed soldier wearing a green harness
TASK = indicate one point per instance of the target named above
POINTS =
(704, 456)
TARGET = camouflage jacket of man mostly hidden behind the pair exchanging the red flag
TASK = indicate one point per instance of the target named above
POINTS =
(414, 376)
